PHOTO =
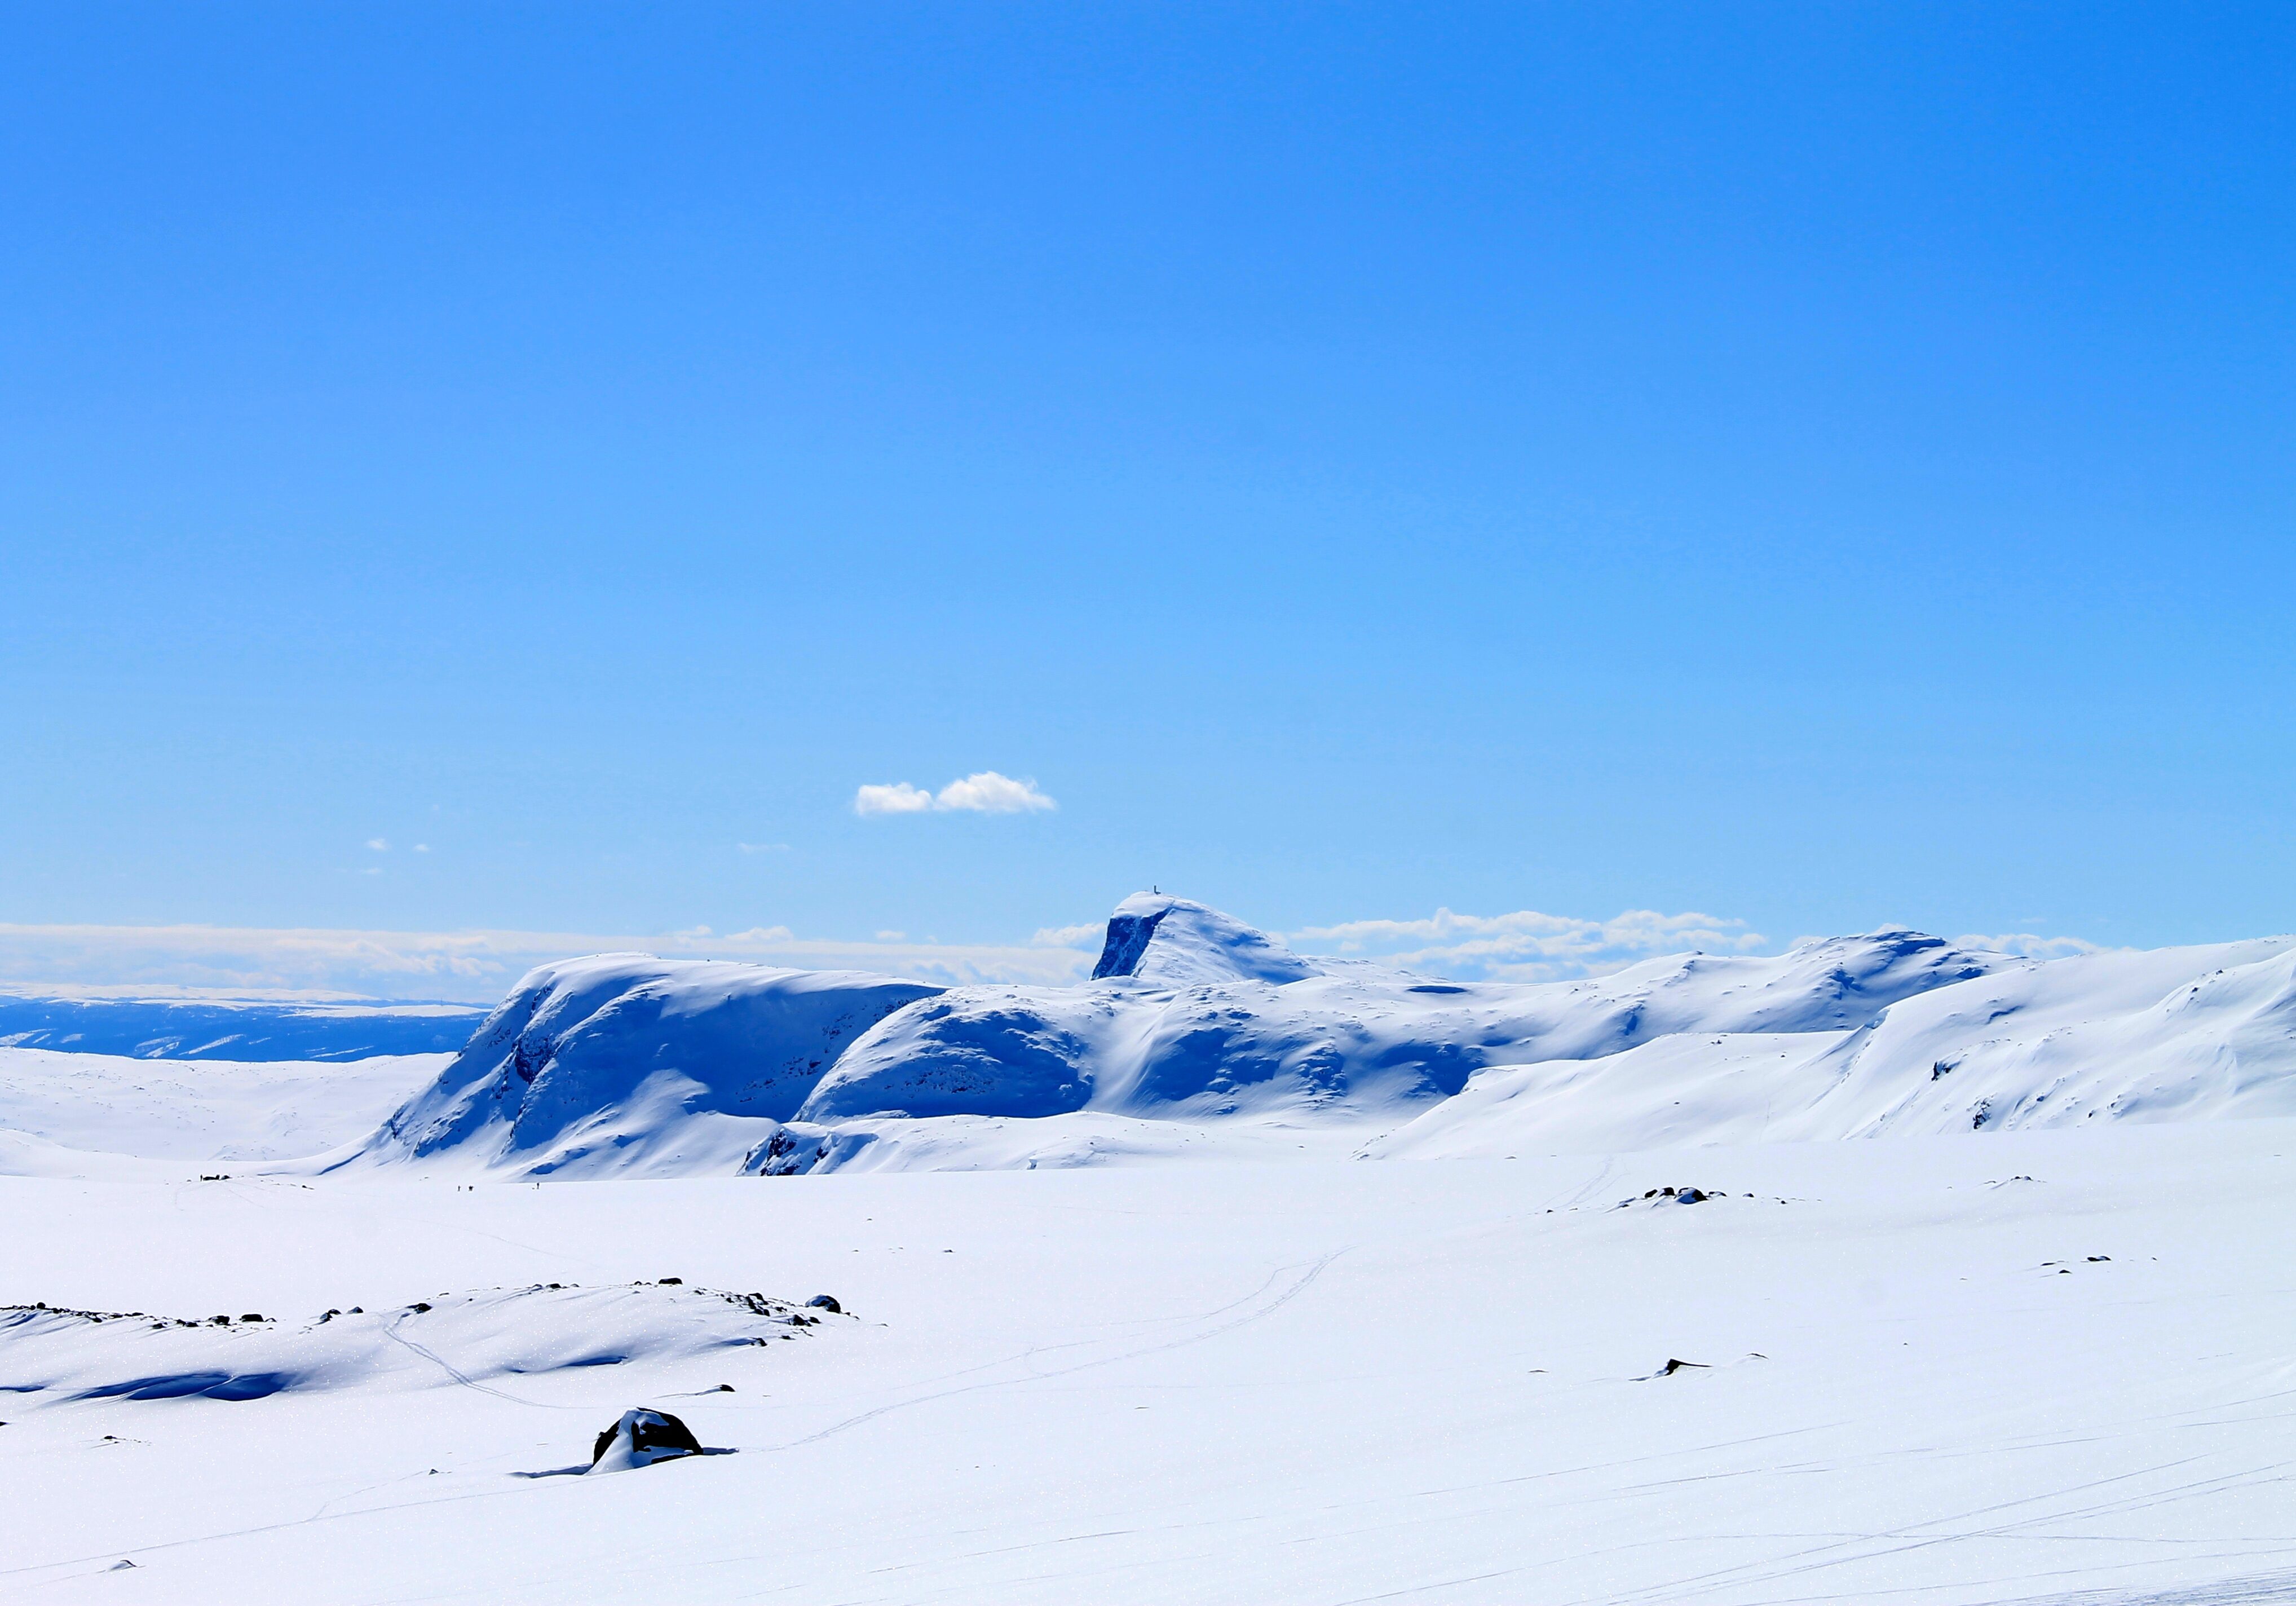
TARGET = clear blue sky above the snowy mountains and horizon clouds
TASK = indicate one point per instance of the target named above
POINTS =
(1801, 468)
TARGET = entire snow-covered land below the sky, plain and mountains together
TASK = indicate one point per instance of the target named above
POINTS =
(1877, 1272)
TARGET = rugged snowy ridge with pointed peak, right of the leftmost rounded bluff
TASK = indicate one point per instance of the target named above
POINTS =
(1335, 1042)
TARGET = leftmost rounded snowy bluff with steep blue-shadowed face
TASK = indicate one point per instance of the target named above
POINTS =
(639, 1065)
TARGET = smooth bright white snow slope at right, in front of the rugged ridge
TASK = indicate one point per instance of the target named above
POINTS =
(2134, 1037)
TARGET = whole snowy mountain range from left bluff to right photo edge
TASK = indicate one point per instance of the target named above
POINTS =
(1200, 1035)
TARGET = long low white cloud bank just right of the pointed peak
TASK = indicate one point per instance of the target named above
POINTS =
(1530, 945)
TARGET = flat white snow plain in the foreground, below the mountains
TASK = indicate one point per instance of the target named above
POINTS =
(1983, 1368)
